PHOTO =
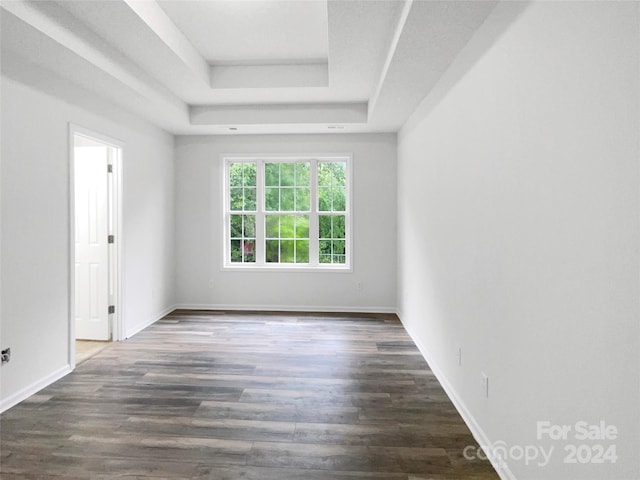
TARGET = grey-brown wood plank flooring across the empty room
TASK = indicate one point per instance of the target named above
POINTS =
(245, 396)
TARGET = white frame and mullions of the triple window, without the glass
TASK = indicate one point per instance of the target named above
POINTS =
(260, 264)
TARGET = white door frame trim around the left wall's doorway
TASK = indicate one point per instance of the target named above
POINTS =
(115, 252)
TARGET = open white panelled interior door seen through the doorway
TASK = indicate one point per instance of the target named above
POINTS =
(91, 241)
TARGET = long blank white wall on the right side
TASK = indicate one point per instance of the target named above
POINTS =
(519, 233)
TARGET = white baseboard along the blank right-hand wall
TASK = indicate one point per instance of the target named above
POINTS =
(478, 433)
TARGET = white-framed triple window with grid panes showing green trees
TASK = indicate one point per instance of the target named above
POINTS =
(287, 212)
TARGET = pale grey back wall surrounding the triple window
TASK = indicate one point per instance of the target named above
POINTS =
(201, 282)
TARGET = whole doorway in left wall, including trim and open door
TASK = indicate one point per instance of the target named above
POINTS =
(95, 240)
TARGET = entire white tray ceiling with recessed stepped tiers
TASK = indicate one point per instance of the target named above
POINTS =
(244, 66)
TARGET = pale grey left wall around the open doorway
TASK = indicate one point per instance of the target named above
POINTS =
(35, 228)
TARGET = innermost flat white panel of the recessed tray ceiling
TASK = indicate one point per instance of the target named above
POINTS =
(233, 32)
